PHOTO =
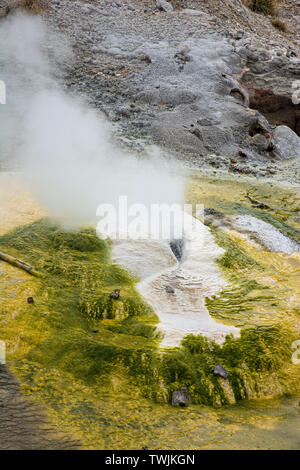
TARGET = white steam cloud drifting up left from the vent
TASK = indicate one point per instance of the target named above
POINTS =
(64, 147)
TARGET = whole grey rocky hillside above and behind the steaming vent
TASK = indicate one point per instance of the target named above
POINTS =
(210, 80)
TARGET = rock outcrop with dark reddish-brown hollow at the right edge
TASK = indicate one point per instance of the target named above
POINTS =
(272, 77)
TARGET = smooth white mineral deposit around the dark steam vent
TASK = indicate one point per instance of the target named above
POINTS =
(181, 311)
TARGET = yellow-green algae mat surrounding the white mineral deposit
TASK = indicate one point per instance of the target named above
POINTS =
(95, 364)
